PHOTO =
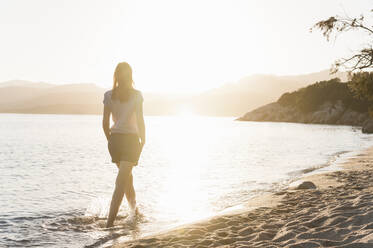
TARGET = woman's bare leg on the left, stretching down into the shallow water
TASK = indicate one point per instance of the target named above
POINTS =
(122, 184)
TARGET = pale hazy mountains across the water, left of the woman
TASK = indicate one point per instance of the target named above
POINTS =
(43, 98)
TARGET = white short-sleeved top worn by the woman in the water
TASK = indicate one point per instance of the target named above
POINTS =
(123, 114)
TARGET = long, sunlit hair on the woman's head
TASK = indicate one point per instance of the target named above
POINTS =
(123, 84)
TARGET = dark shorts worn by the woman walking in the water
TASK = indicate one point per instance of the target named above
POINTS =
(124, 147)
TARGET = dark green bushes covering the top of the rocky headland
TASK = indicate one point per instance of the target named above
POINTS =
(310, 98)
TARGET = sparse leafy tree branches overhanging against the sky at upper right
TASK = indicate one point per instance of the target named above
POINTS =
(334, 25)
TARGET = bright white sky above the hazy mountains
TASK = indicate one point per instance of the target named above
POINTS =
(173, 46)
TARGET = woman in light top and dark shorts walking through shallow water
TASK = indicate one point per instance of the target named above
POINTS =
(126, 137)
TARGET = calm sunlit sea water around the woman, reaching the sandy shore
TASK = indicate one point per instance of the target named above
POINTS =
(56, 176)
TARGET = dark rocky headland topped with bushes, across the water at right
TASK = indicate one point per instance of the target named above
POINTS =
(325, 102)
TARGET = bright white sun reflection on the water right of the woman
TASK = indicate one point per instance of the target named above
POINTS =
(184, 196)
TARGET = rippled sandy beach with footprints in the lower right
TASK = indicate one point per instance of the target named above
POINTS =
(338, 213)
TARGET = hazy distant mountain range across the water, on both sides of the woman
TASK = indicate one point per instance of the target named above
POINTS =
(231, 99)
